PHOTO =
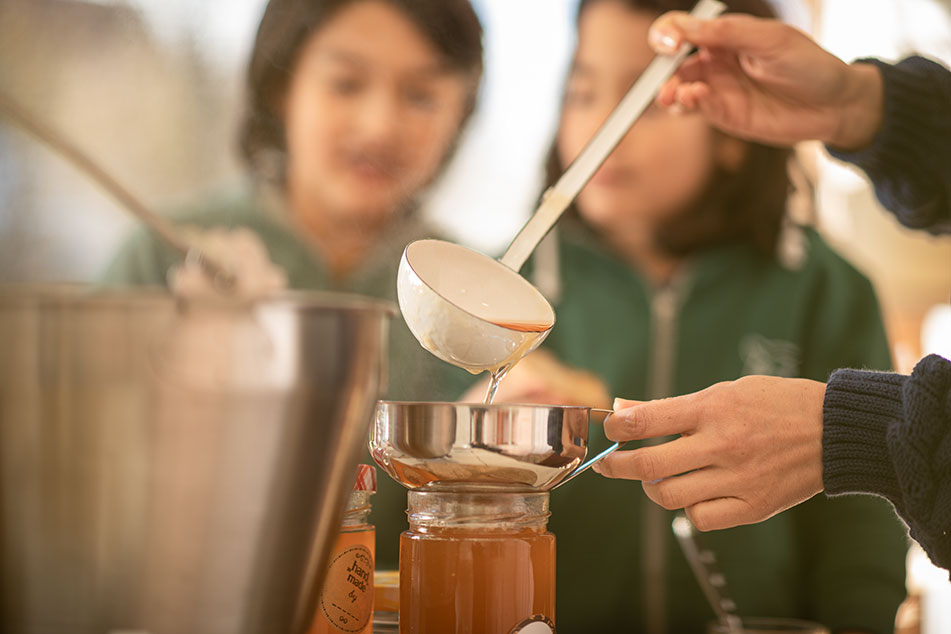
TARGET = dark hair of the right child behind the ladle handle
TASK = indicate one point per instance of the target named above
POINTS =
(745, 204)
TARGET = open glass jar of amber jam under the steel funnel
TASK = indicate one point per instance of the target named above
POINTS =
(476, 559)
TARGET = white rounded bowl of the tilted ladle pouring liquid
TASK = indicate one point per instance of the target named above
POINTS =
(469, 309)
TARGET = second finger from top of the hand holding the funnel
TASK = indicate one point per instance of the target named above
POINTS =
(656, 462)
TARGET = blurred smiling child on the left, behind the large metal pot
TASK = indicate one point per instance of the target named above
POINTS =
(354, 108)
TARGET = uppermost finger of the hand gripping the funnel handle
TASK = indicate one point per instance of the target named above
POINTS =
(632, 420)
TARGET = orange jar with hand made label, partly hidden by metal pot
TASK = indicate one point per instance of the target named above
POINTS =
(346, 601)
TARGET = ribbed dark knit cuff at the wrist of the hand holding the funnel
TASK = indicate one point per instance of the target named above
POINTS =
(857, 409)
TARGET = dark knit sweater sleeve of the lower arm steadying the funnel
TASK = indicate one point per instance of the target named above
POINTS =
(890, 435)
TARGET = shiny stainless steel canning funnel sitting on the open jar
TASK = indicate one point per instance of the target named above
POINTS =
(536, 446)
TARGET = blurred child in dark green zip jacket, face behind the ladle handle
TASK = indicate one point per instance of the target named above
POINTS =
(679, 270)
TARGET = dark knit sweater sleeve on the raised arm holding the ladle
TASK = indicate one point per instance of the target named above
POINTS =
(909, 161)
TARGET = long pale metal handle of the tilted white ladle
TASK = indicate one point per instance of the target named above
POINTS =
(631, 107)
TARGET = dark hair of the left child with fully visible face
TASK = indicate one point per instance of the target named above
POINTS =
(452, 26)
